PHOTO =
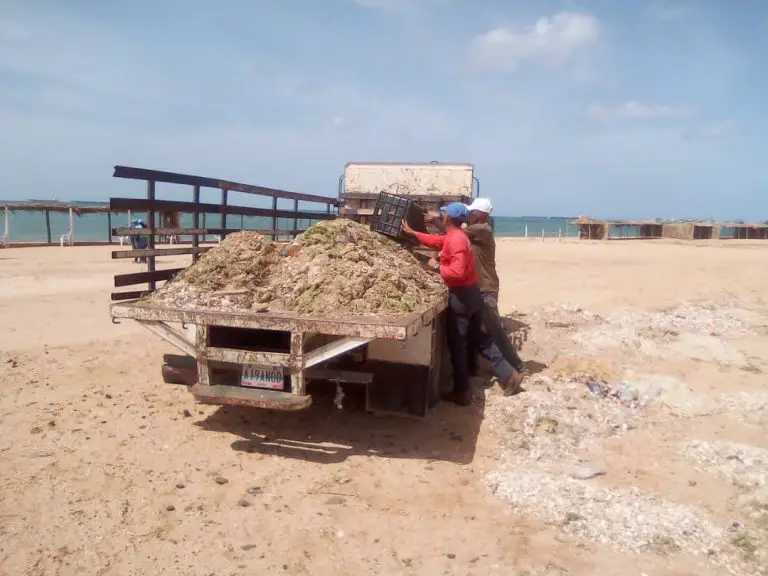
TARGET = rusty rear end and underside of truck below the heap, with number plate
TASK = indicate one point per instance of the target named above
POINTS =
(266, 360)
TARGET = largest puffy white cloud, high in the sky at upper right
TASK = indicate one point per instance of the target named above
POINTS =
(552, 40)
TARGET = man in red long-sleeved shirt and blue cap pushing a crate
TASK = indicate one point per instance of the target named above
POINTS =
(465, 305)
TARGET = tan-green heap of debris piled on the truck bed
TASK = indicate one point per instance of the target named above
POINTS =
(334, 267)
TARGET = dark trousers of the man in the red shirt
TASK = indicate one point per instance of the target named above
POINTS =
(466, 335)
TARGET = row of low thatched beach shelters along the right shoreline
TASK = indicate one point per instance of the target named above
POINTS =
(594, 229)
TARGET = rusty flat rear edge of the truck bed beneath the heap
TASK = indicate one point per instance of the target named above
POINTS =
(360, 326)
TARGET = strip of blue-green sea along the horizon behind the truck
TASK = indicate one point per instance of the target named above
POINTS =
(30, 226)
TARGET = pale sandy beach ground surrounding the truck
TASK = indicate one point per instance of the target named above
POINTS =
(103, 472)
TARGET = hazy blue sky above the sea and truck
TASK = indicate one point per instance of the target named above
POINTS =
(639, 108)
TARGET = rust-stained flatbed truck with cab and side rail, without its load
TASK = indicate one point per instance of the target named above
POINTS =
(268, 359)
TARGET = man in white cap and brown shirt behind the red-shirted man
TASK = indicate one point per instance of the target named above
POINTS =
(480, 234)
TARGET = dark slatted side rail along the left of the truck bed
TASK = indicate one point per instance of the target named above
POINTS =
(155, 231)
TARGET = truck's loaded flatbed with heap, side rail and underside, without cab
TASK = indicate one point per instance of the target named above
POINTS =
(256, 321)
